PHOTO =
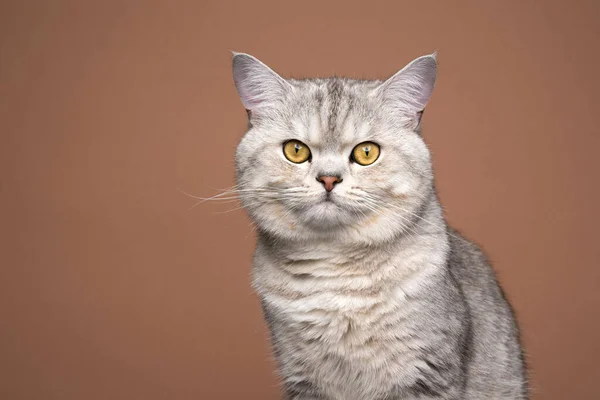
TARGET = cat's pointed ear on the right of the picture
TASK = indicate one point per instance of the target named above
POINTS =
(409, 90)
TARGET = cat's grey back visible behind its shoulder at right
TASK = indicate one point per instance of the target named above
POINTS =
(495, 356)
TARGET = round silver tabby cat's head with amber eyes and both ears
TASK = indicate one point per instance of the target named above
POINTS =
(333, 157)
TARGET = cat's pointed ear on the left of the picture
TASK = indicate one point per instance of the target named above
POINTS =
(258, 85)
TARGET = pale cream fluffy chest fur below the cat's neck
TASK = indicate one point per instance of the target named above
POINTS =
(343, 329)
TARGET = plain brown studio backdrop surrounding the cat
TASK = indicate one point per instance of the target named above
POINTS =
(111, 289)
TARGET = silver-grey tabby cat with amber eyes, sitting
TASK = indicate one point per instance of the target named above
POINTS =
(367, 292)
